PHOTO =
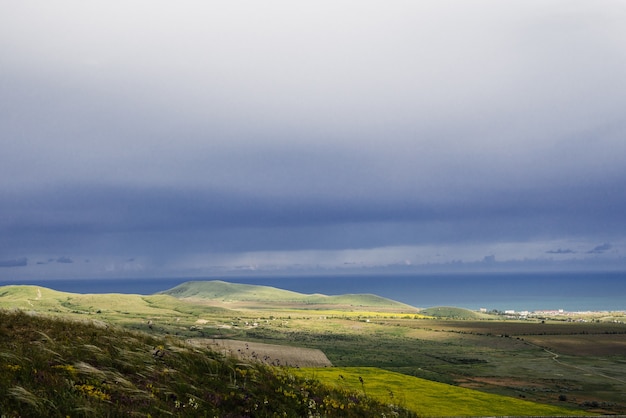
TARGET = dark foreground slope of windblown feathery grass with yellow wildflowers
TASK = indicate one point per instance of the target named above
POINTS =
(58, 368)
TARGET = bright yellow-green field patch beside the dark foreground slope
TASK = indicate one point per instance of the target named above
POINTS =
(429, 398)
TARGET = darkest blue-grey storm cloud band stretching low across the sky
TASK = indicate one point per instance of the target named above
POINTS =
(221, 220)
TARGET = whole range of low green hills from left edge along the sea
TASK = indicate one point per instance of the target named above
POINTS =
(194, 298)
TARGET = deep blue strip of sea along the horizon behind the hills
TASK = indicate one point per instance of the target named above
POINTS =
(503, 291)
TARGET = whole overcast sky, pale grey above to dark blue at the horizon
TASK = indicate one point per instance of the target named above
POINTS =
(193, 138)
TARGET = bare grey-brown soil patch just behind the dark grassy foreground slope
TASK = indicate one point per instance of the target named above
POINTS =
(277, 355)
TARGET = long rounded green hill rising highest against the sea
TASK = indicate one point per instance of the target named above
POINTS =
(254, 295)
